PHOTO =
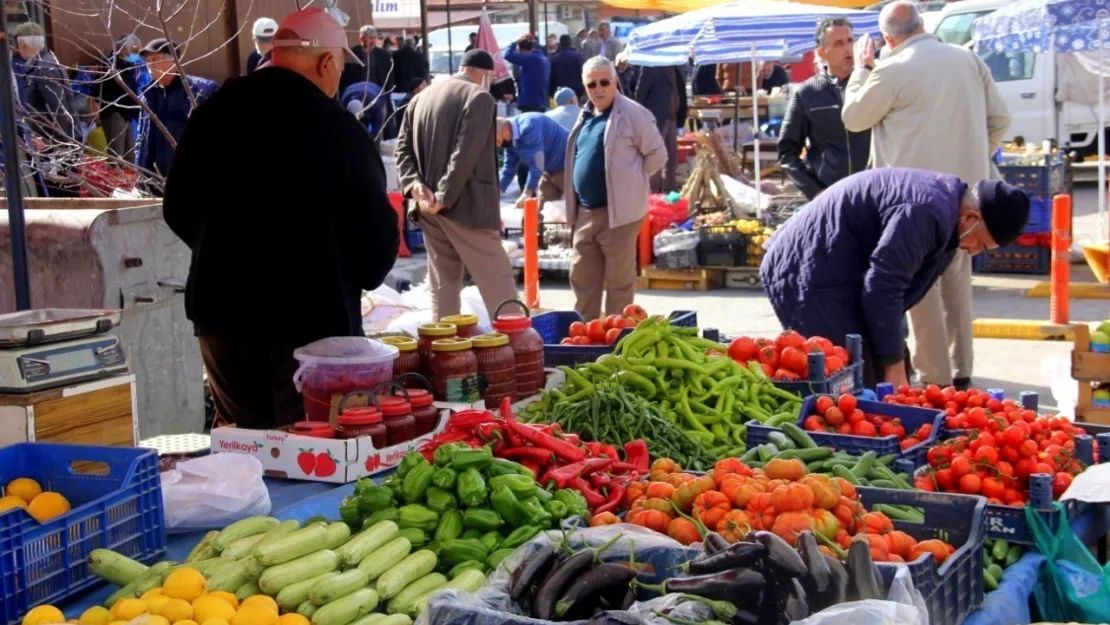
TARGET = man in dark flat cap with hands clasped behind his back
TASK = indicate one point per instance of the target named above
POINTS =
(448, 166)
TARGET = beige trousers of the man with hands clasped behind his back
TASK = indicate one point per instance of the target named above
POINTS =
(455, 250)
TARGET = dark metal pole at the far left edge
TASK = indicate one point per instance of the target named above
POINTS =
(13, 184)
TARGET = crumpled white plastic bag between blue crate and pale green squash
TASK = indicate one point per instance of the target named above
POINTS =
(213, 492)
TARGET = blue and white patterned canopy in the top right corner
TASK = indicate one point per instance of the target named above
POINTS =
(1030, 26)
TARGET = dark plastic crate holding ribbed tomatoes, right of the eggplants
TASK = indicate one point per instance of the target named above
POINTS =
(956, 588)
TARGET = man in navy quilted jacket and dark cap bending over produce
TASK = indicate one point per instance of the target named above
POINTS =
(869, 249)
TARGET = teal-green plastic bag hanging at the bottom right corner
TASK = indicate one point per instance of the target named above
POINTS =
(1073, 586)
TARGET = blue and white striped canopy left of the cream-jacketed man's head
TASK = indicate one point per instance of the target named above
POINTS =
(725, 33)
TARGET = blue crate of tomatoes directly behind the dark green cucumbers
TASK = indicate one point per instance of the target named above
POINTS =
(912, 418)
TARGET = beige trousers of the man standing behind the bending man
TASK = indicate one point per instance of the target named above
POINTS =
(942, 326)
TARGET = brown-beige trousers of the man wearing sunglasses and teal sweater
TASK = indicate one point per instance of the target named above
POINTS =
(604, 261)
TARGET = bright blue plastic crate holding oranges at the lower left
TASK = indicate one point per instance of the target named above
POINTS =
(117, 499)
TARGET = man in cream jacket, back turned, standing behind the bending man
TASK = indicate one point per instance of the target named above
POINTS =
(935, 107)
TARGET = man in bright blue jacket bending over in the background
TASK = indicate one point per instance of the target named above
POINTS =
(538, 143)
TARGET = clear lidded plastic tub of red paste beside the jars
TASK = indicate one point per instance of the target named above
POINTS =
(332, 368)
